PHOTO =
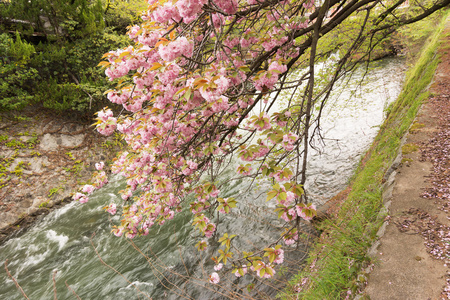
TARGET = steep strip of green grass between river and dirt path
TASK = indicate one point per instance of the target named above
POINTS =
(336, 263)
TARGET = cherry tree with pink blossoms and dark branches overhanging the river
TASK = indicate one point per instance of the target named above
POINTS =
(201, 87)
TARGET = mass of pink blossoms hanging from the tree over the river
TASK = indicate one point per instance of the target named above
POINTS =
(187, 88)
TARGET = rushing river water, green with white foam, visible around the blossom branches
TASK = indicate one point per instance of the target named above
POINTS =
(64, 240)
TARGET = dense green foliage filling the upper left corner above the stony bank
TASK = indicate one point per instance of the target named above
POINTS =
(50, 49)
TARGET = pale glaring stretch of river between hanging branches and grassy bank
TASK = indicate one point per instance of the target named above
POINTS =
(350, 122)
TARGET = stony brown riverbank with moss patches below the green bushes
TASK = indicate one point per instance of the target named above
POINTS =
(43, 159)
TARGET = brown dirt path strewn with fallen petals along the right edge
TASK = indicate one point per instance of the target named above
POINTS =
(413, 259)
